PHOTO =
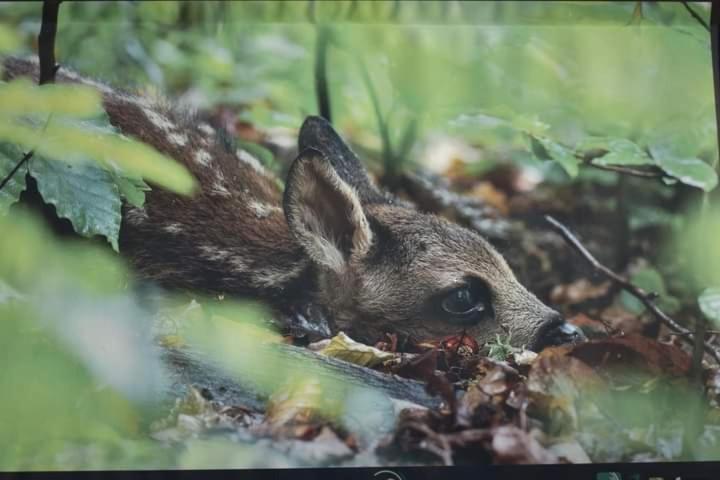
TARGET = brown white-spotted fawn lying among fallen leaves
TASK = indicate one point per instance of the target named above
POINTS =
(375, 265)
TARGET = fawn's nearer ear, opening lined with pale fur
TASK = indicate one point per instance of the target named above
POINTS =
(324, 213)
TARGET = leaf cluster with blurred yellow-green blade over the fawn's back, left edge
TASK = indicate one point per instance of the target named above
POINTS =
(96, 164)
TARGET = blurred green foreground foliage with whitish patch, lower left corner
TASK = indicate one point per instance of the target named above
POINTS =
(68, 339)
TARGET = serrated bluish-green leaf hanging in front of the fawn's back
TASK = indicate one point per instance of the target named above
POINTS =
(83, 193)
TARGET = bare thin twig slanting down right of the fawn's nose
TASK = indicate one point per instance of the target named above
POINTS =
(645, 298)
